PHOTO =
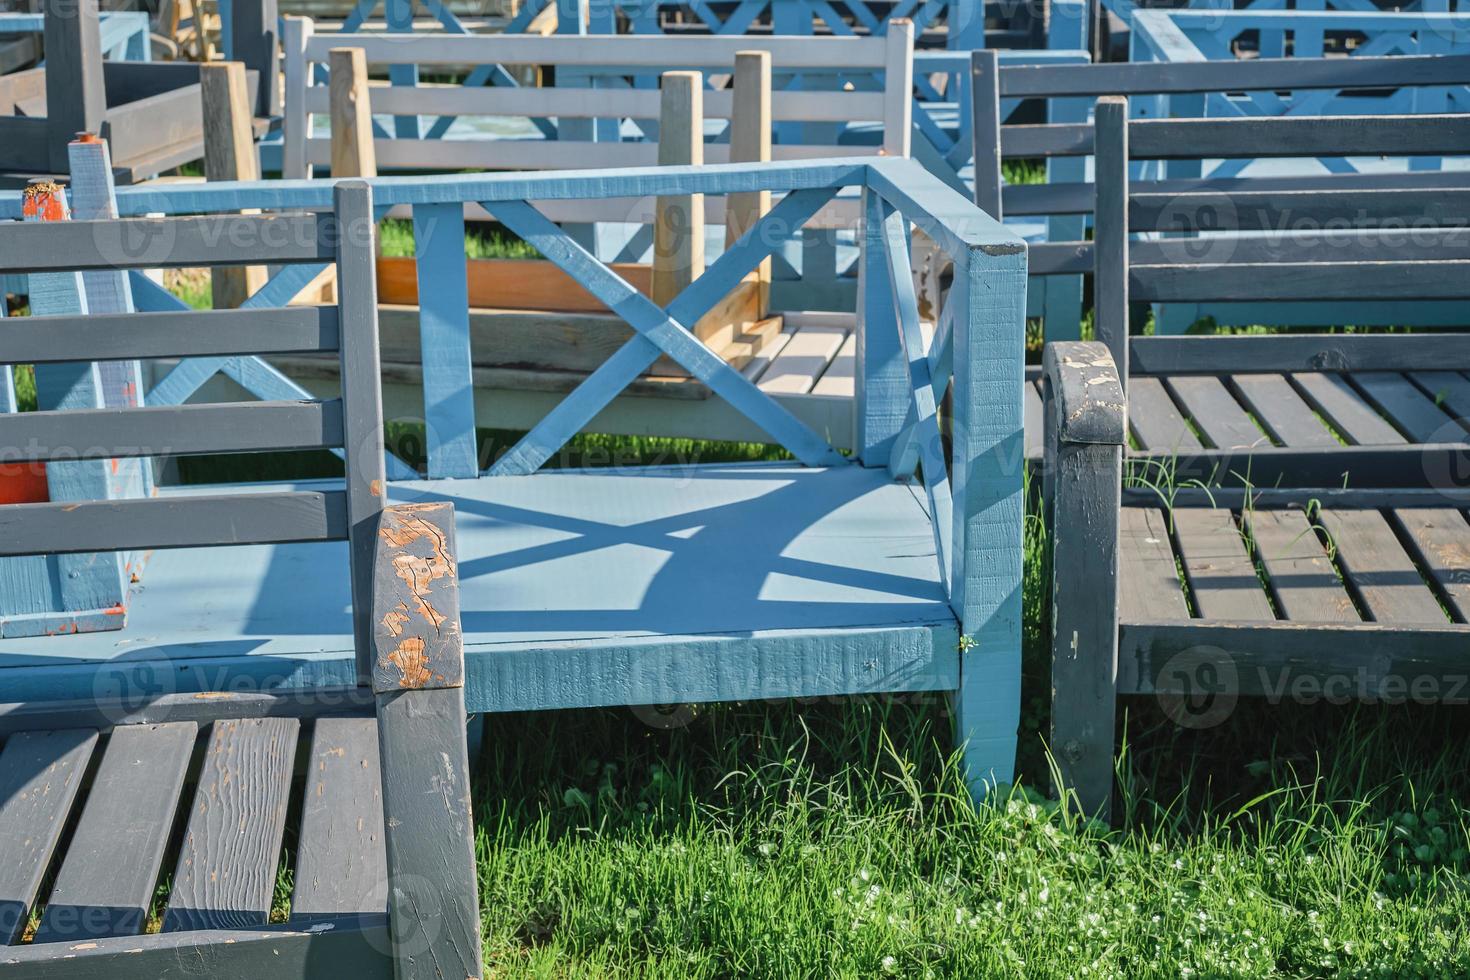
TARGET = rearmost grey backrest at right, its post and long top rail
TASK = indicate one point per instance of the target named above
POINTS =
(996, 140)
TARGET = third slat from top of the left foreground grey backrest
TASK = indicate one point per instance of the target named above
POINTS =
(98, 434)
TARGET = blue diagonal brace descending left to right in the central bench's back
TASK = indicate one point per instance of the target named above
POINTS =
(658, 333)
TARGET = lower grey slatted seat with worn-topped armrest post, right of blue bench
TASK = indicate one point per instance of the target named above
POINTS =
(1290, 593)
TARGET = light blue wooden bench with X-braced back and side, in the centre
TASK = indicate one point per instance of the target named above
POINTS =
(821, 577)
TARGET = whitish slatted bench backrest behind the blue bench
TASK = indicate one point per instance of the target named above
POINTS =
(593, 86)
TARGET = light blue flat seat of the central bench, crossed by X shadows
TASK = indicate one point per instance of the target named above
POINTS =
(646, 587)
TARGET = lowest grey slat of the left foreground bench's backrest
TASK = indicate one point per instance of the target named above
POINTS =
(173, 522)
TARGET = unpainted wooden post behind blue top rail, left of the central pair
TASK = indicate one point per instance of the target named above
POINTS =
(678, 234)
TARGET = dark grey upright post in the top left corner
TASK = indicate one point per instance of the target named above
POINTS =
(76, 95)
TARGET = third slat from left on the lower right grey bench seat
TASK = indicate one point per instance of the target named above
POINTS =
(1303, 580)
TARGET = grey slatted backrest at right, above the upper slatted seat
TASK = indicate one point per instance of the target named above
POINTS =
(1349, 243)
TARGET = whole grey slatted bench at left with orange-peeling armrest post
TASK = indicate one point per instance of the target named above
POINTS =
(101, 797)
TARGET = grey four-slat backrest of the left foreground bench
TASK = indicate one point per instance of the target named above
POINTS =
(58, 253)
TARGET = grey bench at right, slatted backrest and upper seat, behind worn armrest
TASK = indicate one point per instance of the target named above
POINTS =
(1312, 411)
